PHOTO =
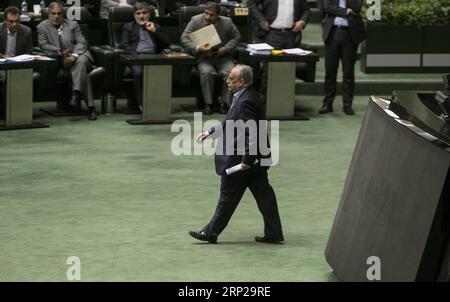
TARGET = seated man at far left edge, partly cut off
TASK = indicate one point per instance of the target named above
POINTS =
(15, 39)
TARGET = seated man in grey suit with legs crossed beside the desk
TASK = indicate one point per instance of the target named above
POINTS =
(64, 38)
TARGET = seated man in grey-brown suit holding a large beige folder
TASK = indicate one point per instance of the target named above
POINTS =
(213, 60)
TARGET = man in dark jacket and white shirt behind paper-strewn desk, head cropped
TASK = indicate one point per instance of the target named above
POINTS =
(280, 23)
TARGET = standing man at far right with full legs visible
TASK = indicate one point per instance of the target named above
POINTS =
(343, 30)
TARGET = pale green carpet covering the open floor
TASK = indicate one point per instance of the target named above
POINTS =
(115, 196)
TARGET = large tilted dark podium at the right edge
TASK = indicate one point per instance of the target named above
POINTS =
(395, 202)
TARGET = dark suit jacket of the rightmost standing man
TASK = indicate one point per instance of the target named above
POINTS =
(331, 9)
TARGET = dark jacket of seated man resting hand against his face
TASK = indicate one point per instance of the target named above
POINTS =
(130, 38)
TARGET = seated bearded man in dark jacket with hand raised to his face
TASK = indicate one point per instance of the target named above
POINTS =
(142, 36)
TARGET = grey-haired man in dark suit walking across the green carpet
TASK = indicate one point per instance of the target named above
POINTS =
(240, 145)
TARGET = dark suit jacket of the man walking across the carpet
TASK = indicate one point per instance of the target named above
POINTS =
(248, 107)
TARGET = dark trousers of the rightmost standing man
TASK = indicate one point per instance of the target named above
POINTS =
(339, 46)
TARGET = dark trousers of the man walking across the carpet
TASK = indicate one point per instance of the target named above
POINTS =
(232, 188)
